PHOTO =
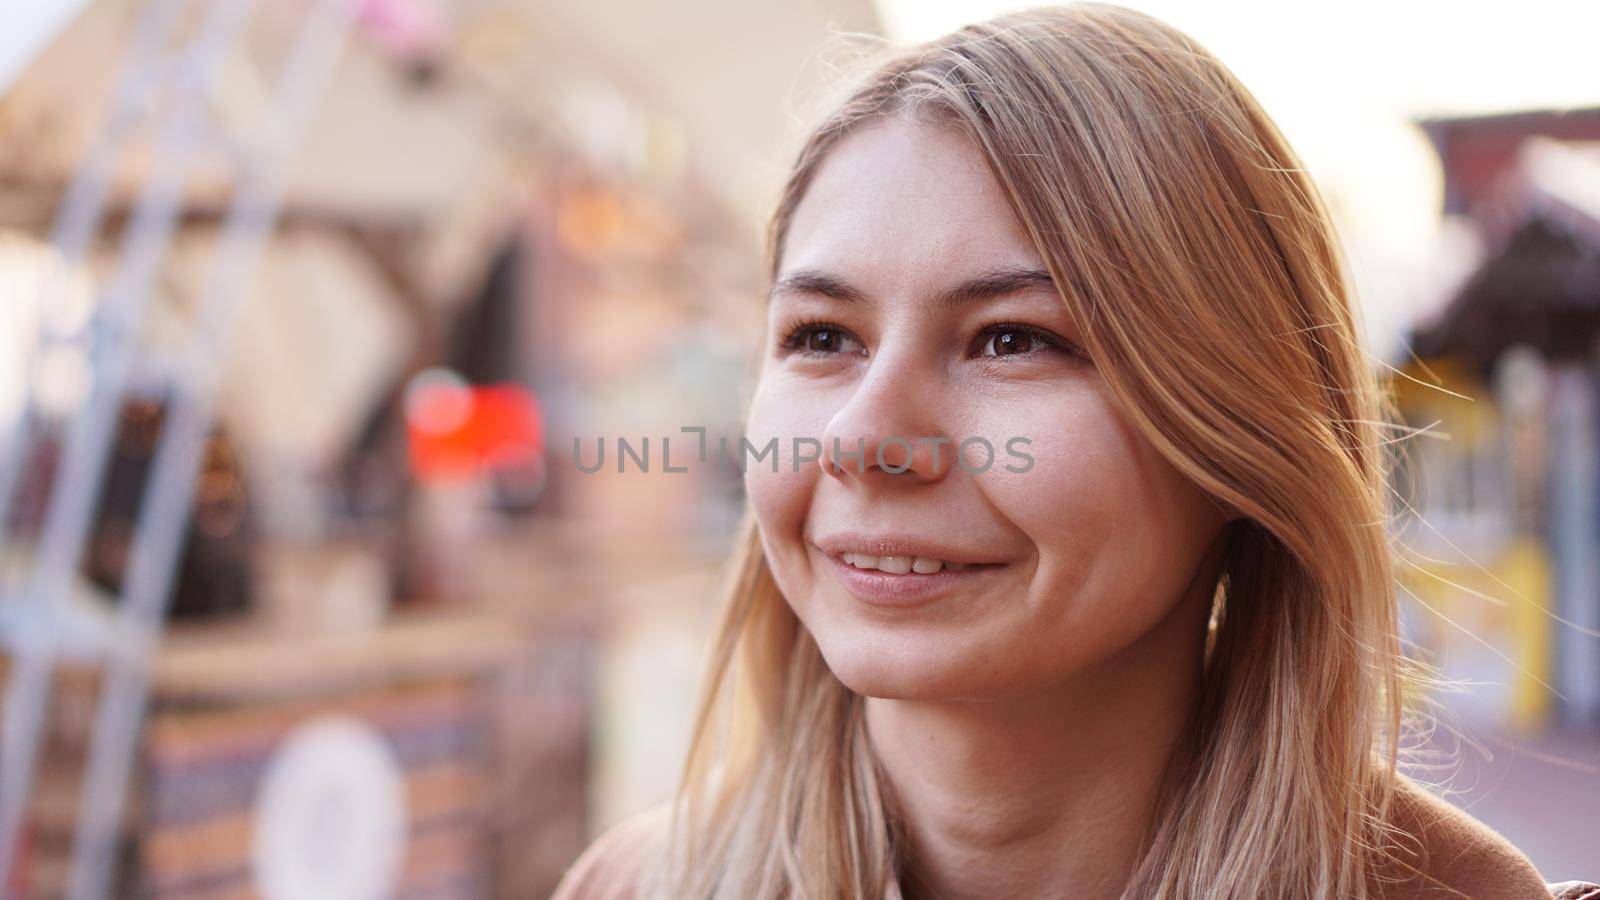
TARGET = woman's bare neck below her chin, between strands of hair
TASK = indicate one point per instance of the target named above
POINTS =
(1042, 795)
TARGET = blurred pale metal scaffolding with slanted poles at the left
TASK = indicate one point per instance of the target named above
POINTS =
(42, 622)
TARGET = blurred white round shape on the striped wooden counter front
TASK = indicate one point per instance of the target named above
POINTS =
(330, 814)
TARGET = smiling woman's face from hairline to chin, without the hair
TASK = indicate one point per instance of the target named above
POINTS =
(911, 316)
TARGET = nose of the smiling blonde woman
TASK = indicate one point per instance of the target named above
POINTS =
(890, 427)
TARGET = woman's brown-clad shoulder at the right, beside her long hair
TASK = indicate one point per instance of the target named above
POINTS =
(1442, 851)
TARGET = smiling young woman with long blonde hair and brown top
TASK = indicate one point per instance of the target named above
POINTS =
(1151, 648)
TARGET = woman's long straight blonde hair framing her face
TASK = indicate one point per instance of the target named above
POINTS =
(1207, 276)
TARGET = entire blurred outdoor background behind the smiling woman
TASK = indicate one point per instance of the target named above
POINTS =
(335, 334)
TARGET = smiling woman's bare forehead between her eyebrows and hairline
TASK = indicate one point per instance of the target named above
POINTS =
(903, 201)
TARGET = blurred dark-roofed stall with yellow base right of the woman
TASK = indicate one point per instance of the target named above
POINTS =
(1506, 531)
